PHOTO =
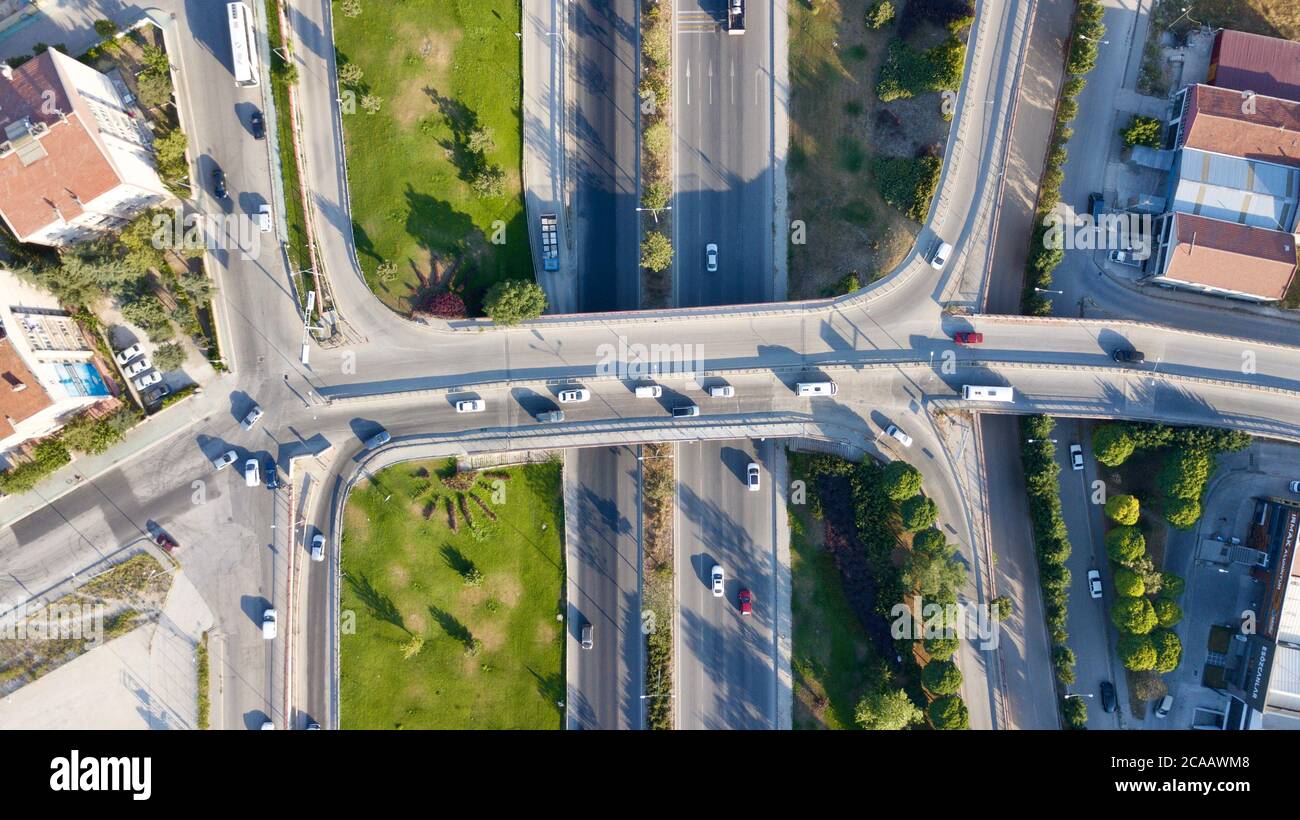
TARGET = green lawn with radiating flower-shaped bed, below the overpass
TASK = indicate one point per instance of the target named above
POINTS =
(493, 653)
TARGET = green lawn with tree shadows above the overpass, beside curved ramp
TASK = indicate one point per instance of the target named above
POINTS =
(443, 71)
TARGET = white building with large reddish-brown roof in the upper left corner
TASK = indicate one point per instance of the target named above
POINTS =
(76, 160)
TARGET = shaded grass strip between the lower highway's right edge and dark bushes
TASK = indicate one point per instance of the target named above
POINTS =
(831, 649)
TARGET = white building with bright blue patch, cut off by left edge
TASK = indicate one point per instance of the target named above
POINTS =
(47, 366)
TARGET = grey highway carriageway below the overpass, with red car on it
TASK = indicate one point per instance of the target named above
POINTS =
(726, 670)
